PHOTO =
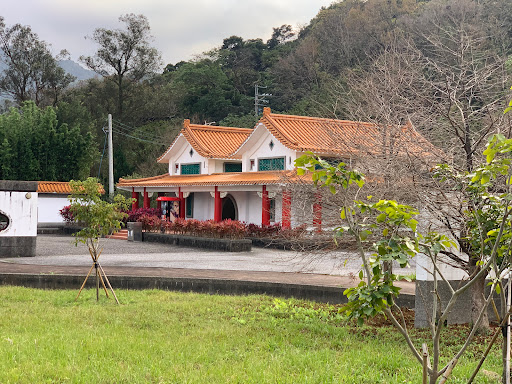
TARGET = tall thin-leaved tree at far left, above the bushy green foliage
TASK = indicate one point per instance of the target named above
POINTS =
(31, 73)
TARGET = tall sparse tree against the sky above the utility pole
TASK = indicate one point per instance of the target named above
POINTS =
(124, 55)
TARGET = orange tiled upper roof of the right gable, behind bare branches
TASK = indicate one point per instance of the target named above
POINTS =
(343, 137)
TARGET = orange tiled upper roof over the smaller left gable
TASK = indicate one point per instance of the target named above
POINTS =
(212, 141)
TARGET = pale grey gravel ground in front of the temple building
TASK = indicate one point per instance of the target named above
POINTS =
(60, 250)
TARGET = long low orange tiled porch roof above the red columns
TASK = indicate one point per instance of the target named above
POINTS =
(216, 179)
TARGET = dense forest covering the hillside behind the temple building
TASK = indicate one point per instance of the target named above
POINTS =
(443, 65)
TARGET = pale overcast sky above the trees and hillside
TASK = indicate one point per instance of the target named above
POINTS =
(181, 28)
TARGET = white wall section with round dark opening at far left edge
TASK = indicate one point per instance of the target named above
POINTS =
(21, 209)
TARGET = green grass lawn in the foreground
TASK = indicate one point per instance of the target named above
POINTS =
(168, 337)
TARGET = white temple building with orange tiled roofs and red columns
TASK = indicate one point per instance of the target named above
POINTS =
(244, 174)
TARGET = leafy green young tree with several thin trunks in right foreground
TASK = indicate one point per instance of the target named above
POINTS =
(386, 231)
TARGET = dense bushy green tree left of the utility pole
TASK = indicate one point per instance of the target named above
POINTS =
(37, 146)
